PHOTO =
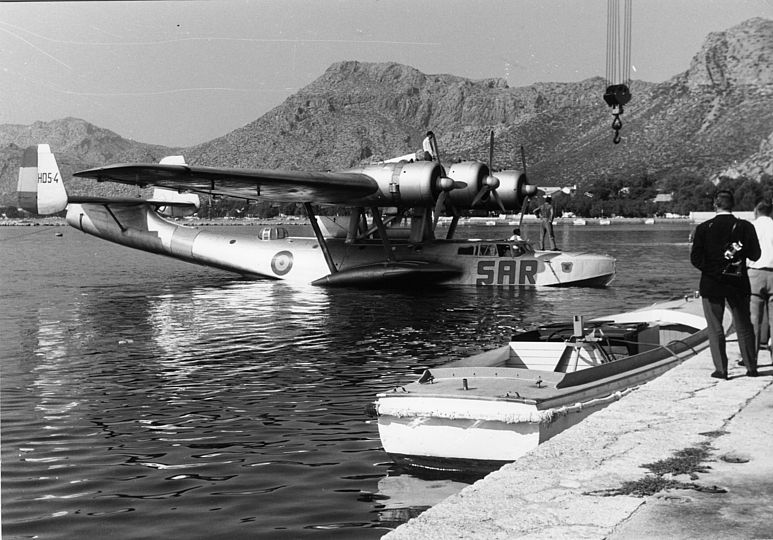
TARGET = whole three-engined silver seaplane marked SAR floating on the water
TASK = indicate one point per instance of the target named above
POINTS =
(388, 240)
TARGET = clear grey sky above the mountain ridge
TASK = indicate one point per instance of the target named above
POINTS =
(179, 73)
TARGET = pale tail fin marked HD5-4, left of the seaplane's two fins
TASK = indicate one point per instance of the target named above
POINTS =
(41, 187)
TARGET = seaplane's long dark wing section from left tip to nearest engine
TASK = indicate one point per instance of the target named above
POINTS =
(266, 184)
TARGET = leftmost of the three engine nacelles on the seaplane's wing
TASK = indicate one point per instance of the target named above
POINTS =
(403, 184)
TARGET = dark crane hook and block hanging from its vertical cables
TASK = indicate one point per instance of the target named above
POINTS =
(618, 73)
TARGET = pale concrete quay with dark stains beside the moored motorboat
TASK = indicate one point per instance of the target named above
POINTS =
(570, 486)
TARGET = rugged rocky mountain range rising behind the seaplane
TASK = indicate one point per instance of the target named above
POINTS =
(715, 115)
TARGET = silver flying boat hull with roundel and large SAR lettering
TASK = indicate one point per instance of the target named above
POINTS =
(272, 254)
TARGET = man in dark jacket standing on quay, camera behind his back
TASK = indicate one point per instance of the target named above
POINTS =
(719, 250)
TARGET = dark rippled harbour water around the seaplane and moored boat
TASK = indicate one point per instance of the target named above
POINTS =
(164, 398)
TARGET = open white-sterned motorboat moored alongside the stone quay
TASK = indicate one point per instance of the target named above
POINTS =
(477, 413)
